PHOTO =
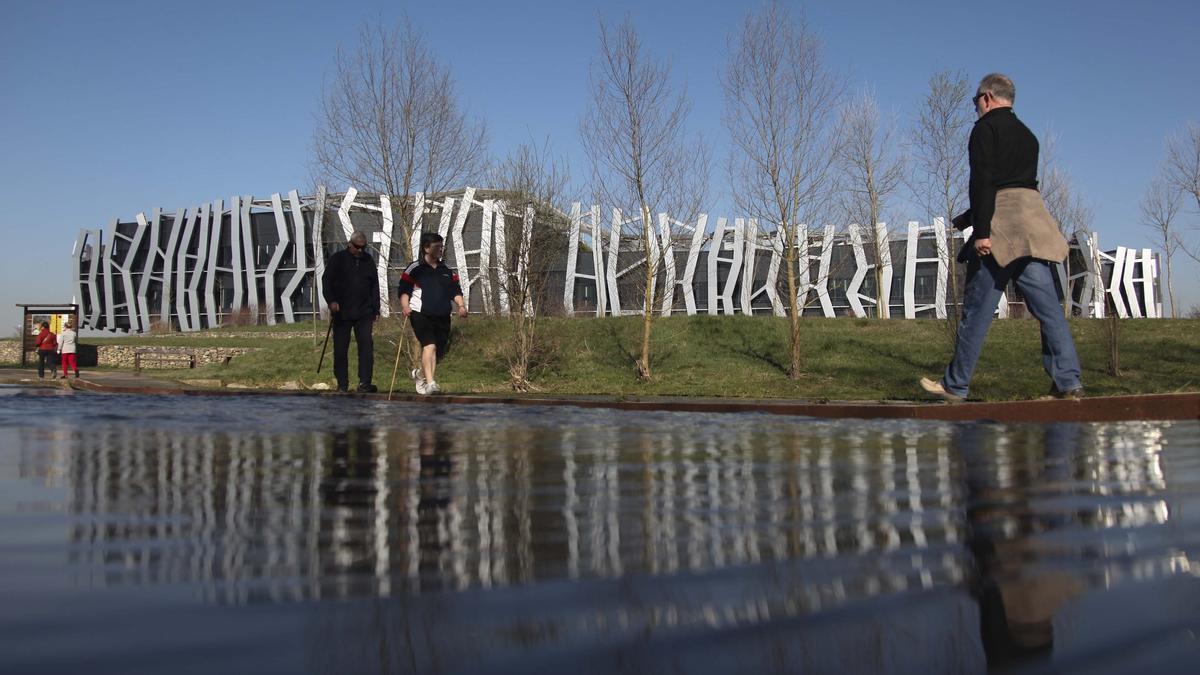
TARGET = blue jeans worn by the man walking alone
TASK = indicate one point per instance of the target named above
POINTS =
(986, 283)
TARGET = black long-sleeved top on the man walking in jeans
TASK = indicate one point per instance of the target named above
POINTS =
(1004, 153)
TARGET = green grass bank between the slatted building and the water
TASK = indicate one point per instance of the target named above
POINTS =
(735, 357)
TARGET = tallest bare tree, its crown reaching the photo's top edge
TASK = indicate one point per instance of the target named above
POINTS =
(779, 99)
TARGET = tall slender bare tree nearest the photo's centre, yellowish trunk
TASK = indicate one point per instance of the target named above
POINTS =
(641, 160)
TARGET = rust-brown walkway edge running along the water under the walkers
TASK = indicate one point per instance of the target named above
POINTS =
(1100, 409)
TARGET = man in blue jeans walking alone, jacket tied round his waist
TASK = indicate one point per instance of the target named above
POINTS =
(1013, 238)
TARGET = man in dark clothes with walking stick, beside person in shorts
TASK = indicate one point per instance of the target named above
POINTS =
(352, 292)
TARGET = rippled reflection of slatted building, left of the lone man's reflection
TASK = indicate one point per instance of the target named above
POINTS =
(369, 510)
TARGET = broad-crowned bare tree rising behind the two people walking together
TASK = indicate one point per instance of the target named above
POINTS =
(391, 123)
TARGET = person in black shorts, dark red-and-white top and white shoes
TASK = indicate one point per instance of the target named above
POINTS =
(429, 290)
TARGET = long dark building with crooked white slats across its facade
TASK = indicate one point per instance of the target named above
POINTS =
(260, 260)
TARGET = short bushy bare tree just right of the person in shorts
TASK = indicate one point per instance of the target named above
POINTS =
(535, 181)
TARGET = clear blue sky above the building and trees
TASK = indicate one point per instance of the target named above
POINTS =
(115, 109)
